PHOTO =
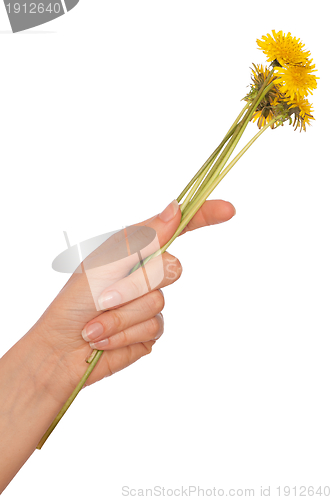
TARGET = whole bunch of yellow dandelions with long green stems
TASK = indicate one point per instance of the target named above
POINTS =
(277, 94)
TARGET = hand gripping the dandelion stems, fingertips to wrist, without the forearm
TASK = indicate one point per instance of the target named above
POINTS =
(133, 322)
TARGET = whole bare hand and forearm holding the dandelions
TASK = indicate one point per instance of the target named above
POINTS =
(39, 373)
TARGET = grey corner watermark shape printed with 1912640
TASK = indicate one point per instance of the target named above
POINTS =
(24, 14)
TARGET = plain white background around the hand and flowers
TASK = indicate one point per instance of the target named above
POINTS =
(106, 113)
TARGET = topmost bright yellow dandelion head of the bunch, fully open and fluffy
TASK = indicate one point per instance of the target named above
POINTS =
(287, 49)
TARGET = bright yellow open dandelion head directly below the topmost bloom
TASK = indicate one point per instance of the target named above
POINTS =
(297, 80)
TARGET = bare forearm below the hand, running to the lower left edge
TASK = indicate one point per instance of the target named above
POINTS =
(28, 372)
